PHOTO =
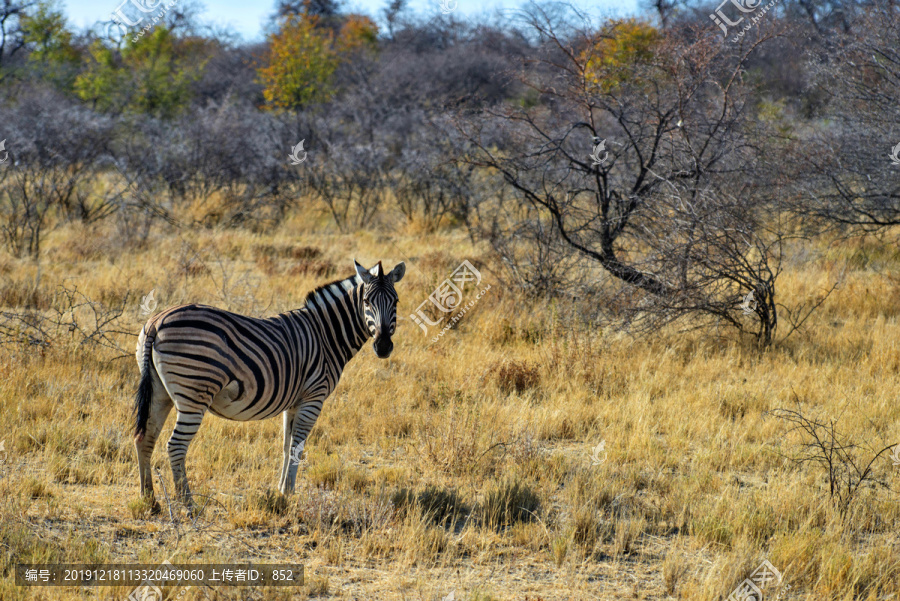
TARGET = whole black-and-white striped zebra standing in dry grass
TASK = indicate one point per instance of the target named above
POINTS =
(200, 359)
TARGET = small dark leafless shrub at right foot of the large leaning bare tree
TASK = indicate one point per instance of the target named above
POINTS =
(722, 257)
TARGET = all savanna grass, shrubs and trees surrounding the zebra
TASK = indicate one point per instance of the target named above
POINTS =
(686, 362)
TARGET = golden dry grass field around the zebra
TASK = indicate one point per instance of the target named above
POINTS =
(402, 495)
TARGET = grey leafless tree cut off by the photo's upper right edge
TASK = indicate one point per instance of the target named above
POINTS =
(841, 175)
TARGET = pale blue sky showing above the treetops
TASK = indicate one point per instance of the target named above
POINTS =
(248, 17)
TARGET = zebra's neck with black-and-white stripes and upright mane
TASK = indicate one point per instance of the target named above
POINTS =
(338, 309)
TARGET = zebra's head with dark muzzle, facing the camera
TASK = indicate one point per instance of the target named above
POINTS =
(380, 304)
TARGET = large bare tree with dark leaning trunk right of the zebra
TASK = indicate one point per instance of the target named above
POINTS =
(645, 168)
